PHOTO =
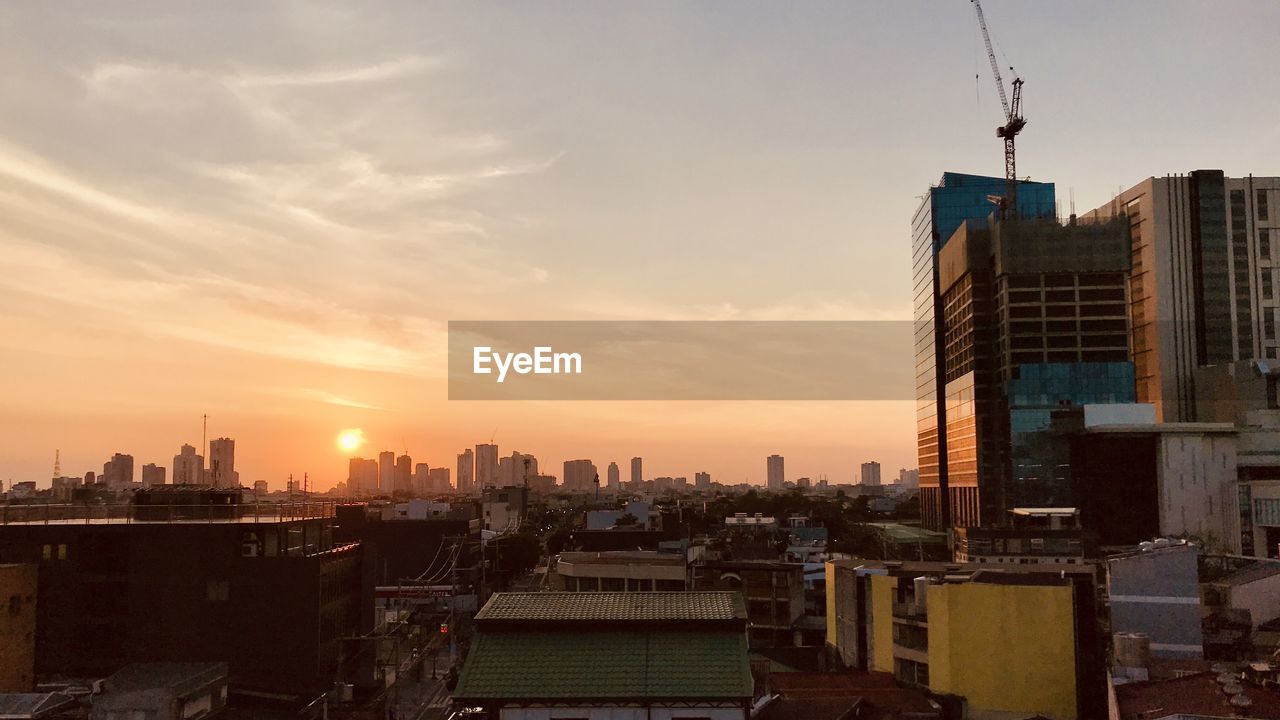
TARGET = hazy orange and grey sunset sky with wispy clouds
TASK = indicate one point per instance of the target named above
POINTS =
(269, 212)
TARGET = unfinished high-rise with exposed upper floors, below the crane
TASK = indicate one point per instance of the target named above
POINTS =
(1035, 322)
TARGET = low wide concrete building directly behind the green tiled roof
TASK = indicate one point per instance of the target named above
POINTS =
(637, 571)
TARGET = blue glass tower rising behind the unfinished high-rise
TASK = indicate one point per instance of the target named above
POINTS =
(945, 207)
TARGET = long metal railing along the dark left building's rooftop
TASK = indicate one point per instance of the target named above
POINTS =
(97, 513)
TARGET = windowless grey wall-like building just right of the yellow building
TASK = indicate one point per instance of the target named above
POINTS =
(1155, 593)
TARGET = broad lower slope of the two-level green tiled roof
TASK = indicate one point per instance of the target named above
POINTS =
(606, 666)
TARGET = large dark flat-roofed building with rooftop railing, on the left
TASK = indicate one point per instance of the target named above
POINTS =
(189, 566)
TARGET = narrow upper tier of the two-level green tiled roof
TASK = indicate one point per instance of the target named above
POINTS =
(614, 607)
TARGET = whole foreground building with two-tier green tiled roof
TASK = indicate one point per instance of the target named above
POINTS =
(610, 655)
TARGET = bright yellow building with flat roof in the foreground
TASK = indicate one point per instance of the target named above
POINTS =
(1018, 640)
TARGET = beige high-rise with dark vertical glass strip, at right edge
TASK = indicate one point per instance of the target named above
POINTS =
(1204, 282)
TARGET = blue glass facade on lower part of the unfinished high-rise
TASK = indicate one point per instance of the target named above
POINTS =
(1039, 462)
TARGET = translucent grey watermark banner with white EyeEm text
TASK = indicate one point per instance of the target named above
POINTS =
(682, 361)
